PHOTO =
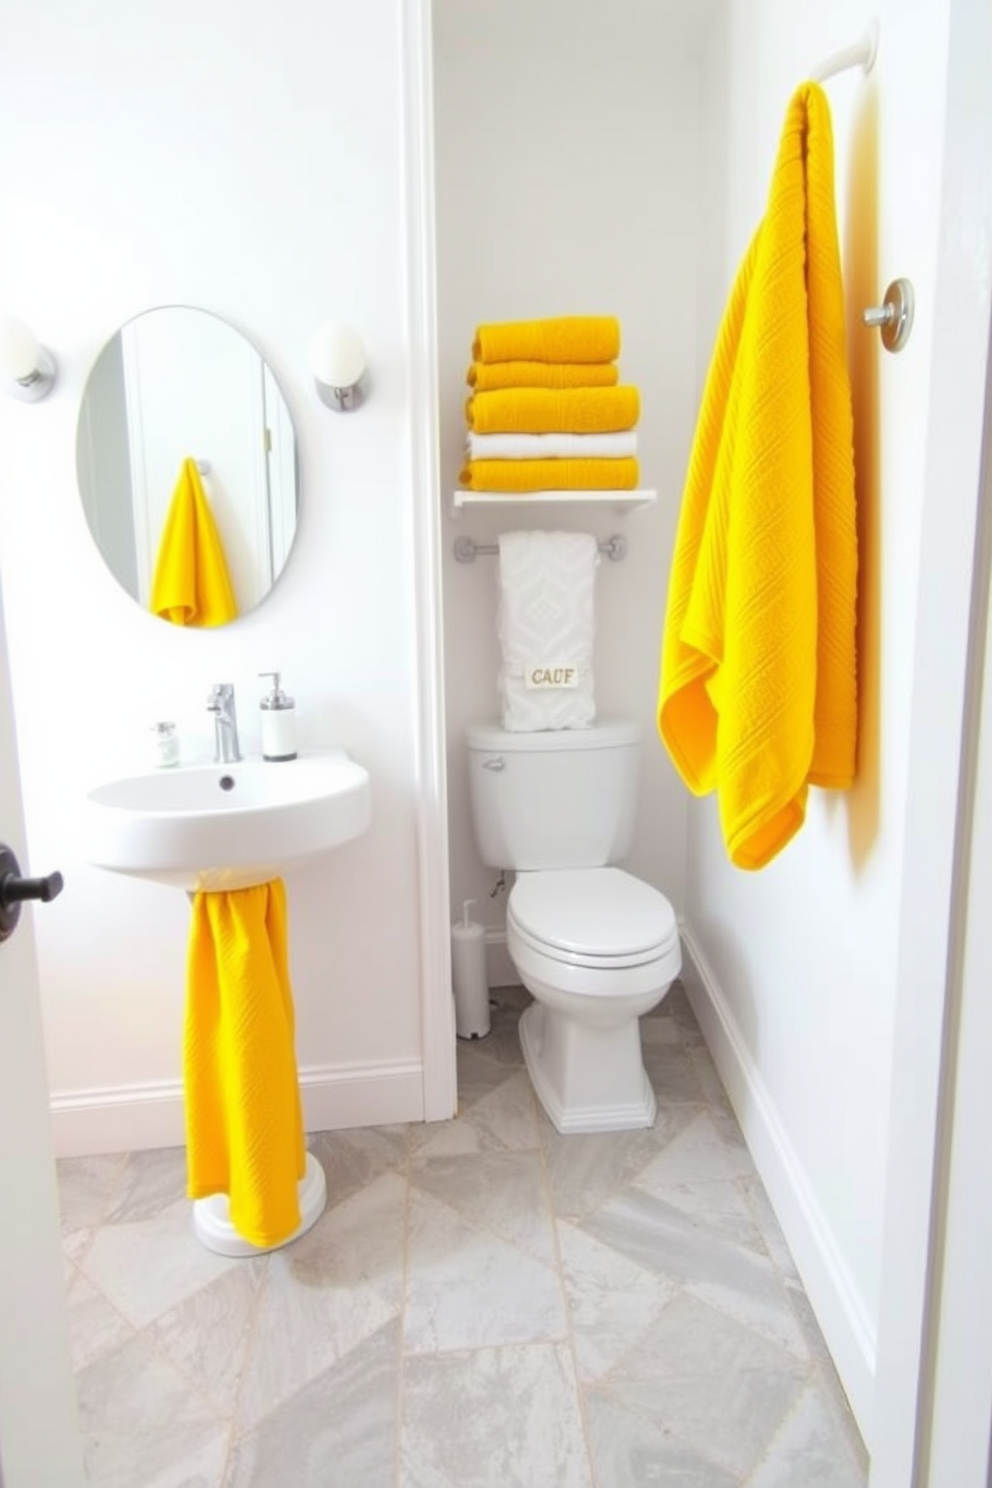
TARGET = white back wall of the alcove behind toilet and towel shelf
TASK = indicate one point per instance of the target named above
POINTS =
(567, 184)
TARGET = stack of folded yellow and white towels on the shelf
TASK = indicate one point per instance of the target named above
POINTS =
(547, 411)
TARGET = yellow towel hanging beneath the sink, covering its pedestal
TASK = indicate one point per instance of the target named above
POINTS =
(245, 1130)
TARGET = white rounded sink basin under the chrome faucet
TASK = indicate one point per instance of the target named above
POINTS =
(225, 827)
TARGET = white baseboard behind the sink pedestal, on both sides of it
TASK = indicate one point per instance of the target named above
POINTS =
(133, 1118)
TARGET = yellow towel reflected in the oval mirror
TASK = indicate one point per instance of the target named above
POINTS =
(191, 584)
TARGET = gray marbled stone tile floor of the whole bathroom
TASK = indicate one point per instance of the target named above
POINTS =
(484, 1304)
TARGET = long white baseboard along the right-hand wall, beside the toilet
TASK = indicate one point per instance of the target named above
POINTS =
(829, 1285)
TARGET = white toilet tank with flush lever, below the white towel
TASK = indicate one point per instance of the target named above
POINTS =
(564, 798)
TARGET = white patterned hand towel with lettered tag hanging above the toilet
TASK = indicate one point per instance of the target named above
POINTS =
(547, 627)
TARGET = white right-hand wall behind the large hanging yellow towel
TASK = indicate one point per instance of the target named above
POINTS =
(801, 961)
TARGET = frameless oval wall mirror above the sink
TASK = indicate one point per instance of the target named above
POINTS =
(173, 386)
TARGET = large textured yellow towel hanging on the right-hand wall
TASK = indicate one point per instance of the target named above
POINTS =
(758, 691)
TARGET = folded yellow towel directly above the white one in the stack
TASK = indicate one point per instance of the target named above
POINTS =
(545, 411)
